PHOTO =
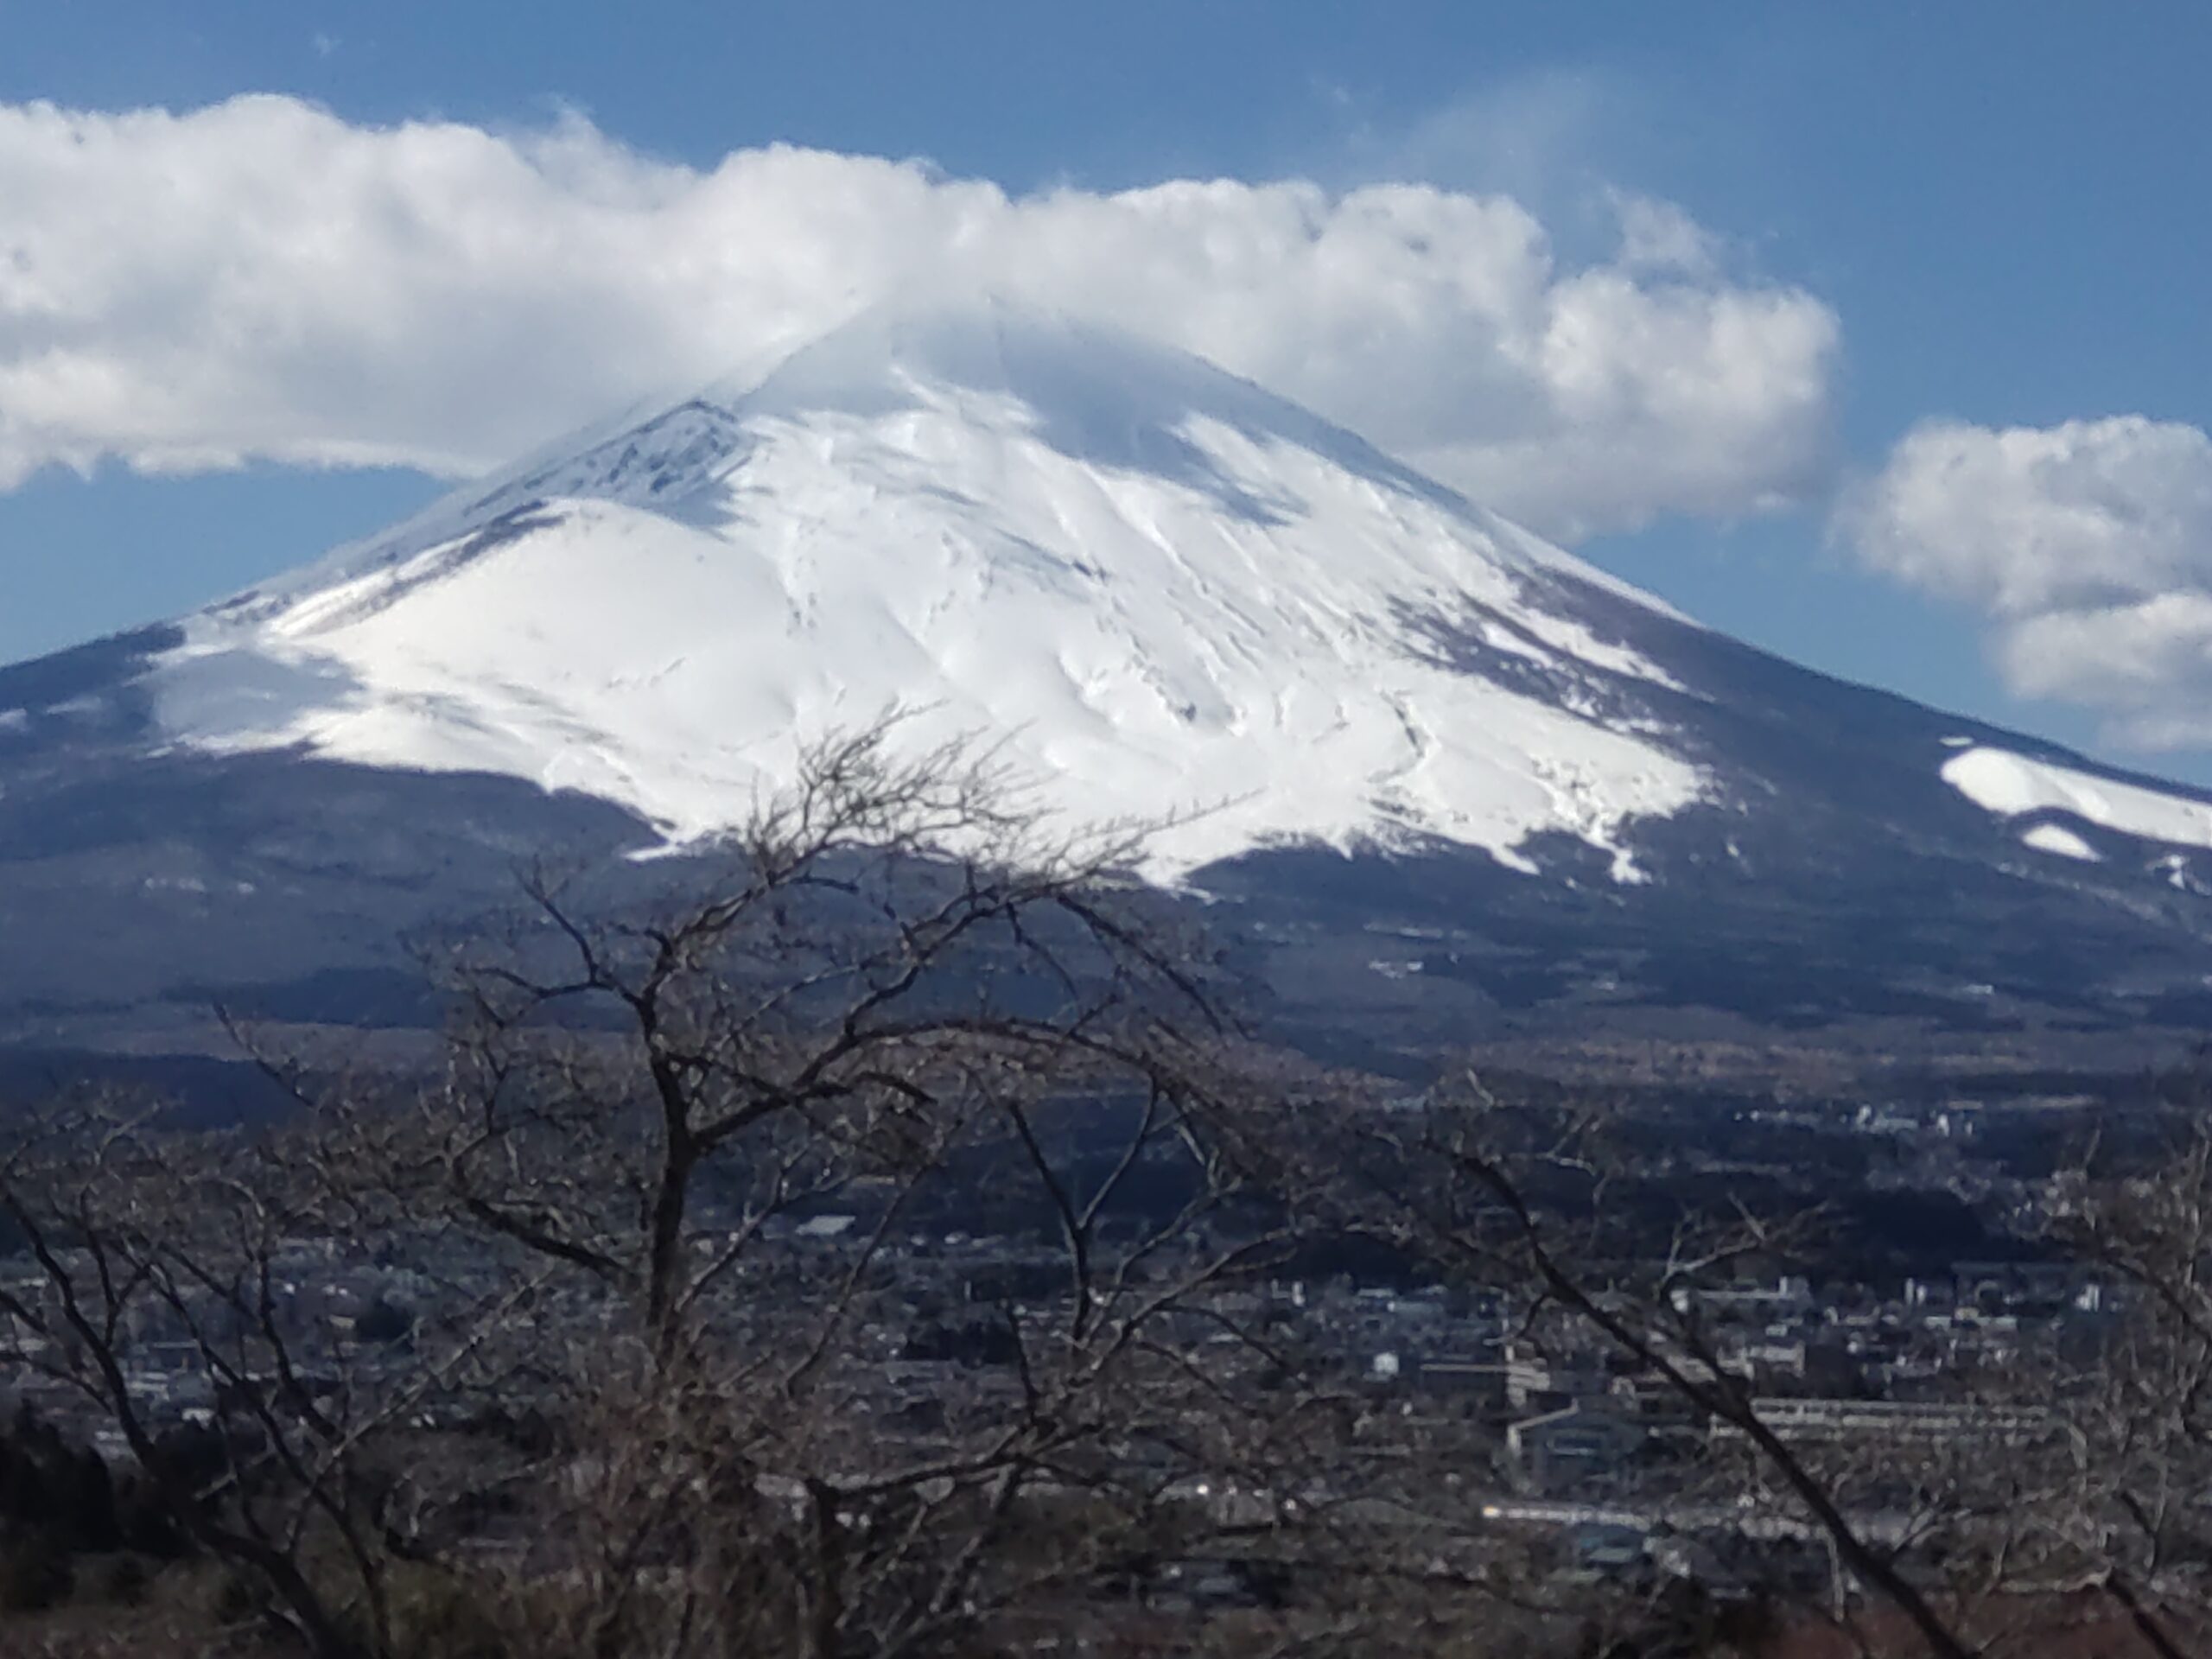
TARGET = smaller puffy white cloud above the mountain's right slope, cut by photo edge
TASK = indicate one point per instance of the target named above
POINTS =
(2089, 547)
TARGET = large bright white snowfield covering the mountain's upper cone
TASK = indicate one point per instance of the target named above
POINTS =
(1167, 592)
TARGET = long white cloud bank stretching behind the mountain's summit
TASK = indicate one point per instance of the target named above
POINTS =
(262, 280)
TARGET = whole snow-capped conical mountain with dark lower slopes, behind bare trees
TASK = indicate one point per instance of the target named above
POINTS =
(1439, 766)
